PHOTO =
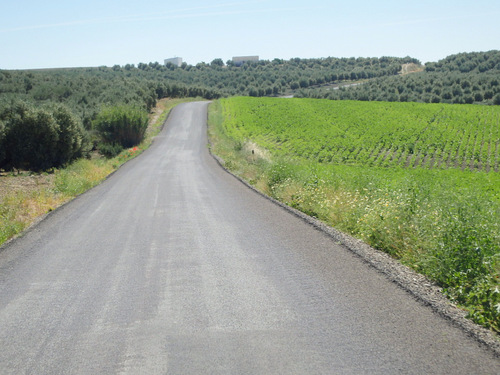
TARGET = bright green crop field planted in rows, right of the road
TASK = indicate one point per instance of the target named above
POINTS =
(410, 135)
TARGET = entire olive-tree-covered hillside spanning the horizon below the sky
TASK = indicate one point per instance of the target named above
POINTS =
(462, 78)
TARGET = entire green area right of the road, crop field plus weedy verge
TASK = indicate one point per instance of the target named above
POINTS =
(419, 181)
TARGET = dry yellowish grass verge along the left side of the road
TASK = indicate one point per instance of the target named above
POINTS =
(23, 199)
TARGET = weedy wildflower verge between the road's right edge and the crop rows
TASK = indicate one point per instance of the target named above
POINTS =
(444, 224)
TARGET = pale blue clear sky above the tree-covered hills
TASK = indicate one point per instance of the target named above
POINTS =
(75, 33)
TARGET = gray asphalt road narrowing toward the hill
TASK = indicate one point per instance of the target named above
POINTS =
(173, 266)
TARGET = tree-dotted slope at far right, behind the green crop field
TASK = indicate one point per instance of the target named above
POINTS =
(465, 78)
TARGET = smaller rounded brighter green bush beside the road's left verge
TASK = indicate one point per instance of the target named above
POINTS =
(123, 125)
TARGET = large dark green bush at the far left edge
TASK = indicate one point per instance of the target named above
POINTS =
(39, 139)
